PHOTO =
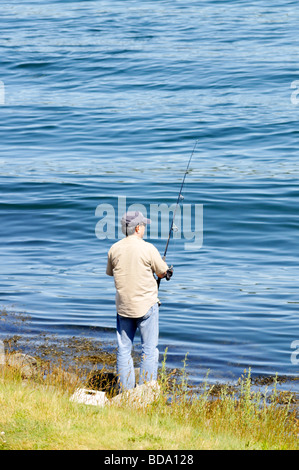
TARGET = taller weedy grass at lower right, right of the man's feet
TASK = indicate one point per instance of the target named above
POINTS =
(244, 416)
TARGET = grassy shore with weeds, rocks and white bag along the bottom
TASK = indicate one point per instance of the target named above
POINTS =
(53, 408)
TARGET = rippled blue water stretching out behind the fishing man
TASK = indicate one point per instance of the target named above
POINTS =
(106, 99)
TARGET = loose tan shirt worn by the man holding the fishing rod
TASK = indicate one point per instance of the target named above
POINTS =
(132, 261)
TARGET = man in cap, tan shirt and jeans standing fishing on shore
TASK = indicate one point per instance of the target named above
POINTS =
(132, 262)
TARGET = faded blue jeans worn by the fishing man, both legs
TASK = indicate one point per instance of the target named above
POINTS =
(148, 326)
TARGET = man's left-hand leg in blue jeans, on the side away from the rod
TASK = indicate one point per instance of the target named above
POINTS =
(126, 329)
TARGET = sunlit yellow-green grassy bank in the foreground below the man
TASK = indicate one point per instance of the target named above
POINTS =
(38, 414)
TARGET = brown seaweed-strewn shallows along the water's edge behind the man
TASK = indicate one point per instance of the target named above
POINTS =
(85, 356)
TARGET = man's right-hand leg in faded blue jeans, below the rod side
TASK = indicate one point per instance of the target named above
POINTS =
(149, 331)
